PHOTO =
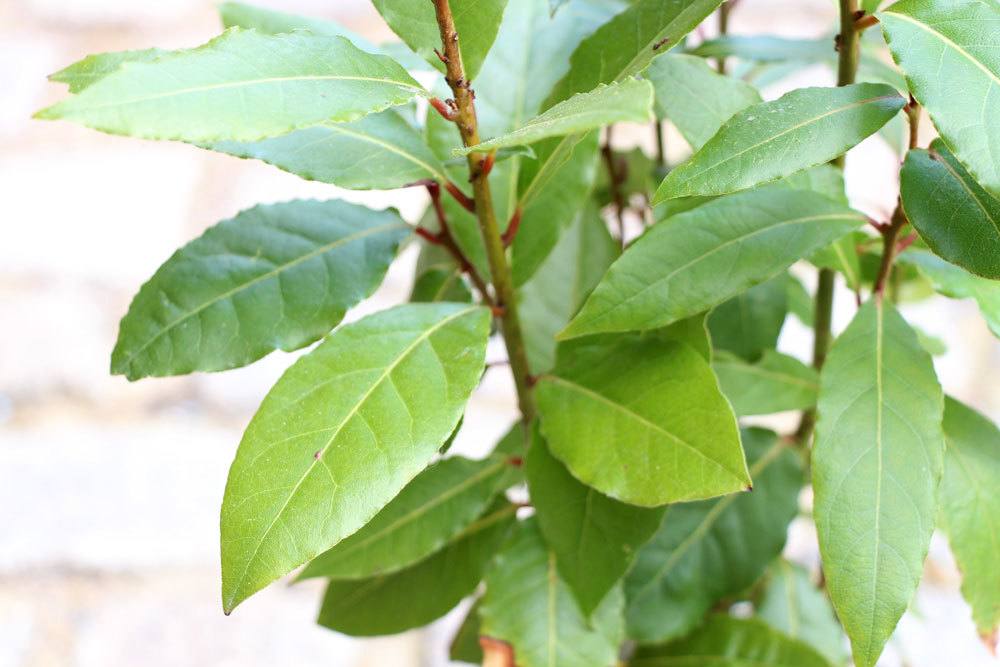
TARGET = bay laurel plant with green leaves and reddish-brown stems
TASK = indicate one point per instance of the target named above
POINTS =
(635, 359)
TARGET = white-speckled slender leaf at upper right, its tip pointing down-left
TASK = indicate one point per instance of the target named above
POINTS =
(767, 141)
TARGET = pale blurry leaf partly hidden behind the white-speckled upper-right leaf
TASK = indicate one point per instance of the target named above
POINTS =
(696, 98)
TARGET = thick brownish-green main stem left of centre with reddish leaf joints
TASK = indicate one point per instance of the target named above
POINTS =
(496, 251)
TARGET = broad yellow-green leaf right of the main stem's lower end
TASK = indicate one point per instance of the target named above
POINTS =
(641, 420)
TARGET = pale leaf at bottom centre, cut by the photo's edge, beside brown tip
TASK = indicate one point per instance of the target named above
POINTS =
(529, 606)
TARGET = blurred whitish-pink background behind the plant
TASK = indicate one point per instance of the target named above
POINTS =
(109, 491)
